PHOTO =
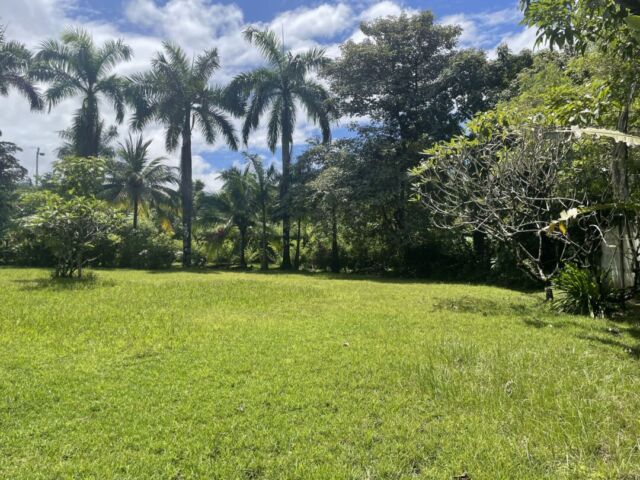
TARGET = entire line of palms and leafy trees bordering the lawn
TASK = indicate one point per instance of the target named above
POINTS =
(459, 166)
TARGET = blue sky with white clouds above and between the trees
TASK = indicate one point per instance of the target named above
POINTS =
(200, 24)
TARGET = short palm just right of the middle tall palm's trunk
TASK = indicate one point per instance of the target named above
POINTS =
(234, 205)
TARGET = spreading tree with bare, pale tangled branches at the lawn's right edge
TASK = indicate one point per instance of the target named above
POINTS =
(511, 188)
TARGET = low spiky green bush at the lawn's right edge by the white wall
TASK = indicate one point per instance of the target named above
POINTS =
(583, 291)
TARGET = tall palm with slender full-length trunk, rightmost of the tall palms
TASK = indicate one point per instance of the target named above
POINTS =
(274, 90)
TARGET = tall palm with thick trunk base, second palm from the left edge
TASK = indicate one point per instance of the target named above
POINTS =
(76, 66)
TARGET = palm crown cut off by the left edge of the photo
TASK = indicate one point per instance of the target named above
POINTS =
(15, 61)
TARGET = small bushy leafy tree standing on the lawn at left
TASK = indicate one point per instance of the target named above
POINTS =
(72, 228)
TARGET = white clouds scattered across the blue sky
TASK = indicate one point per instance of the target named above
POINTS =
(195, 25)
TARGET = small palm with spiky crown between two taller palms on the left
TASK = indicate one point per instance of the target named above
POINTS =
(135, 179)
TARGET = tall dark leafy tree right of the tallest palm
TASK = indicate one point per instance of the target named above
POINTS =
(410, 78)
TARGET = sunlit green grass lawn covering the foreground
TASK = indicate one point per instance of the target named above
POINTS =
(230, 375)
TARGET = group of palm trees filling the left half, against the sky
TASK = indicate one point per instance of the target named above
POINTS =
(176, 93)
